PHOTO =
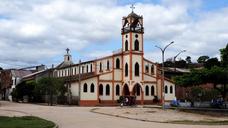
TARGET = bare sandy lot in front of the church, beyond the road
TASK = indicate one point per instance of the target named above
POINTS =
(155, 114)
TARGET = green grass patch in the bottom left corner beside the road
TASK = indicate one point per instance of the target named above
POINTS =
(24, 122)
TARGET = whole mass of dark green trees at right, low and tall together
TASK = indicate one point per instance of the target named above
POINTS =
(213, 71)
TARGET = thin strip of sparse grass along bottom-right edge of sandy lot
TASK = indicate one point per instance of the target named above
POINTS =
(225, 122)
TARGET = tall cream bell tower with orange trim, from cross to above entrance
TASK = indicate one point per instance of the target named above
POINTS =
(132, 47)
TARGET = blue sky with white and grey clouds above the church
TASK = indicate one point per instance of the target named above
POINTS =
(39, 31)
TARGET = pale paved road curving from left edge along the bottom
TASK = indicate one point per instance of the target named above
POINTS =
(81, 117)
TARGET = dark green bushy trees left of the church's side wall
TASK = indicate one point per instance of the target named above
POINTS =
(35, 90)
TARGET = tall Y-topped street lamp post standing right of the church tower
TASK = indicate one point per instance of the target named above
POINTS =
(163, 73)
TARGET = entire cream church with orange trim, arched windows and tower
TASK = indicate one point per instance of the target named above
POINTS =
(125, 72)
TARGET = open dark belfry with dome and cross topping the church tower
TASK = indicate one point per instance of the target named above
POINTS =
(132, 23)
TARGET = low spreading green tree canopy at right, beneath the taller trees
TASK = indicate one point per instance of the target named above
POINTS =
(216, 75)
